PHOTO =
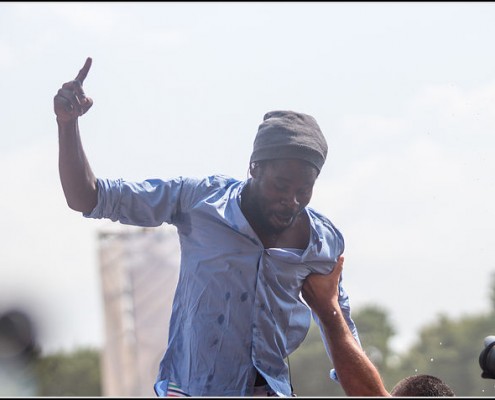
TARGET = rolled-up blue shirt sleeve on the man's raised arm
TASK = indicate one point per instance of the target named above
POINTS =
(148, 203)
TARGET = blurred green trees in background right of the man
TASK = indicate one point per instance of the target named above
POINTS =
(446, 348)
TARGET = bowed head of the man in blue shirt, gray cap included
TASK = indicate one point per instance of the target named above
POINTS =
(288, 153)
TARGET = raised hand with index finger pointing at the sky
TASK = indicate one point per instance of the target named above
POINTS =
(70, 102)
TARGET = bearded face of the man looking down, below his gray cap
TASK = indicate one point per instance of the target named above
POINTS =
(281, 190)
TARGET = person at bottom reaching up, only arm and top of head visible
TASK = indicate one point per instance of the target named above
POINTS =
(356, 373)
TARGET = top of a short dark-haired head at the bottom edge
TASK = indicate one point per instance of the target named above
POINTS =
(422, 386)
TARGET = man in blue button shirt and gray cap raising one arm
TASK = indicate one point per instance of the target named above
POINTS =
(246, 248)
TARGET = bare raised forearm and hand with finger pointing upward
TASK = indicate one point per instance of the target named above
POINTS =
(78, 180)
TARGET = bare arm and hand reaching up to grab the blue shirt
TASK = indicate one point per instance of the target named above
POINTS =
(357, 374)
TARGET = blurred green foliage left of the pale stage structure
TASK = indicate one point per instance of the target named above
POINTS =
(69, 374)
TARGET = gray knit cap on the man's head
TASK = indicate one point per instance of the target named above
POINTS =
(288, 134)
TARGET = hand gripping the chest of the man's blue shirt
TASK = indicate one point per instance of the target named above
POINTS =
(321, 291)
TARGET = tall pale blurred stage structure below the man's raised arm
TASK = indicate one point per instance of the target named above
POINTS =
(139, 272)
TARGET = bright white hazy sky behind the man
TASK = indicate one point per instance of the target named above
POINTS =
(404, 92)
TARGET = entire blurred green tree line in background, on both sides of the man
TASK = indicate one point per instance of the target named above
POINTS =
(446, 348)
